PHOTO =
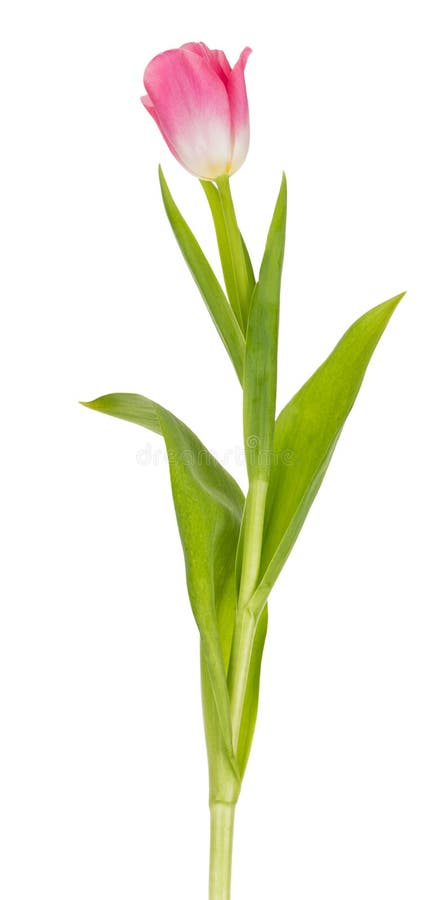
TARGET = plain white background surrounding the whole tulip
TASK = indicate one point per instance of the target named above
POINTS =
(103, 775)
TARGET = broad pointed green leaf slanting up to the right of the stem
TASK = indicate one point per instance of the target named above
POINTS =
(306, 434)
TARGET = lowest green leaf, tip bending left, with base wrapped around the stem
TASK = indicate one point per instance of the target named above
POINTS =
(214, 504)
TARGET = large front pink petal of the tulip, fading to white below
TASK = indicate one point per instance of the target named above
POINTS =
(191, 108)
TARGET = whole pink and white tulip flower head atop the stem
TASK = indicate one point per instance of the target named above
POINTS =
(200, 106)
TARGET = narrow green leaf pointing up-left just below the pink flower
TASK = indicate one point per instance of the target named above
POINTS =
(209, 287)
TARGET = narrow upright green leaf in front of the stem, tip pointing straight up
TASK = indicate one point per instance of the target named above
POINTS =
(260, 369)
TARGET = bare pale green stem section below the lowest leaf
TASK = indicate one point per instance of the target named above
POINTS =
(221, 850)
